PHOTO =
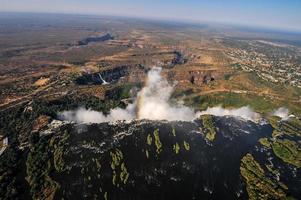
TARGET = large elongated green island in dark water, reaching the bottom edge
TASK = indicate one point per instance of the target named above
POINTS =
(258, 185)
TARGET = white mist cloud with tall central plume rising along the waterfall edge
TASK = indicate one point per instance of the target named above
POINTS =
(152, 103)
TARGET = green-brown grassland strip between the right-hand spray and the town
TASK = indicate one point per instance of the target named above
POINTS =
(261, 96)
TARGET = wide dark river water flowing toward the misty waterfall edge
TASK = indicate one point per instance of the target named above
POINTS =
(208, 170)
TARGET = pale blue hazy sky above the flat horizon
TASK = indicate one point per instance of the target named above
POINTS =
(282, 14)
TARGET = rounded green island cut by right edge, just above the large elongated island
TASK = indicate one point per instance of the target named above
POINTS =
(288, 151)
